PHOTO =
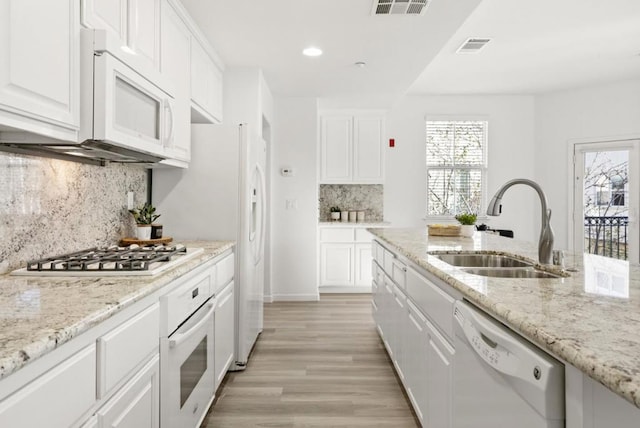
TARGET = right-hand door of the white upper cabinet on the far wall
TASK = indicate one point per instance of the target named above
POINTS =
(368, 140)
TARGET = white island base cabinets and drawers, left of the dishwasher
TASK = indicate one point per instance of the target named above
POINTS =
(411, 324)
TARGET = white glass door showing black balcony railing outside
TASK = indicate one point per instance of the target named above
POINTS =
(606, 196)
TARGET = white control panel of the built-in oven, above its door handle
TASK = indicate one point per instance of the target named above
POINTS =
(183, 301)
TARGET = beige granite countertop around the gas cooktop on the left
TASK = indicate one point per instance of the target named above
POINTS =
(38, 314)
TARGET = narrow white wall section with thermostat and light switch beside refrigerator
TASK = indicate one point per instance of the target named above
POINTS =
(294, 240)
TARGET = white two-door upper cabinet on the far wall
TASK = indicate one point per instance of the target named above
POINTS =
(352, 149)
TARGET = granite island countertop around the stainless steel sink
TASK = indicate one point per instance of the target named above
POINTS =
(590, 320)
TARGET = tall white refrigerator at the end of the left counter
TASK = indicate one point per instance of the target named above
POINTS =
(222, 196)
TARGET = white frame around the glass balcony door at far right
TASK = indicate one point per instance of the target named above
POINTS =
(630, 139)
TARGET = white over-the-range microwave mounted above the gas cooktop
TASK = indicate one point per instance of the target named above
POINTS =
(123, 107)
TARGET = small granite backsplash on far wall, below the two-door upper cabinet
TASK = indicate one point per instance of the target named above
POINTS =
(366, 197)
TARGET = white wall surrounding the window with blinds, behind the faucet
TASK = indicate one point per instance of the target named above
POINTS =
(511, 153)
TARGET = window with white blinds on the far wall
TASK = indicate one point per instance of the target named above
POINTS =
(456, 166)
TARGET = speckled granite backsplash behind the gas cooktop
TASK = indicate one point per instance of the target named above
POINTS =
(50, 207)
